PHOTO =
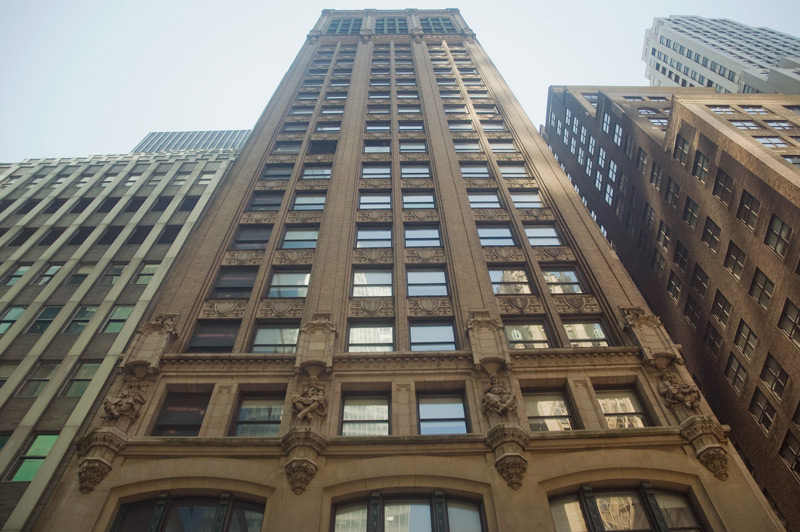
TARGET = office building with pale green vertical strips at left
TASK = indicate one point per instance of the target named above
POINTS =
(84, 245)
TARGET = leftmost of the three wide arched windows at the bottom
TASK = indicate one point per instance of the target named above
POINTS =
(190, 514)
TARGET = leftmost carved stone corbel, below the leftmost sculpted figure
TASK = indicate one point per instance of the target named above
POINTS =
(99, 448)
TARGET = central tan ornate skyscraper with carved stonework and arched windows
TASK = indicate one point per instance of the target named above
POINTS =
(397, 316)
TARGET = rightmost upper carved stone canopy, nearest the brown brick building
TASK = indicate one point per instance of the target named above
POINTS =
(648, 332)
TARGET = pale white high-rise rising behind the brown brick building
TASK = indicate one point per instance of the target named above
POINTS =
(689, 51)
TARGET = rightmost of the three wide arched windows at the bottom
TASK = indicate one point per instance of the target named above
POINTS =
(626, 509)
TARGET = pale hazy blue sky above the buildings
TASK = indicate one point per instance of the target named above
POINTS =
(91, 77)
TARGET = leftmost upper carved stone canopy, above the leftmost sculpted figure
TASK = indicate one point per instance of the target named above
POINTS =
(149, 344)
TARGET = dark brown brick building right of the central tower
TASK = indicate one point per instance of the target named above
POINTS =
(699, 194)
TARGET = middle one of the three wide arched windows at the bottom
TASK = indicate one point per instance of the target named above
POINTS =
(417, 513)
